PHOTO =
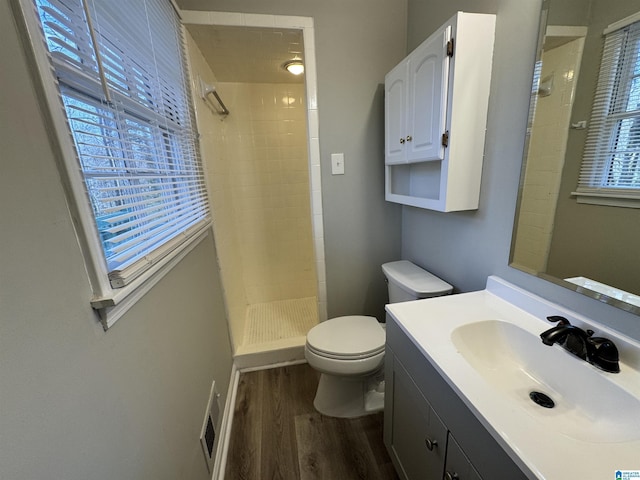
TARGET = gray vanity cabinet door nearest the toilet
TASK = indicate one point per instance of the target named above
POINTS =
(418, 438)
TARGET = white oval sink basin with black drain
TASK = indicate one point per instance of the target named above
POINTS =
(588, 405)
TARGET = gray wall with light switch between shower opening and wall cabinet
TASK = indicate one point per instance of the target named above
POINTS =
(357, 43)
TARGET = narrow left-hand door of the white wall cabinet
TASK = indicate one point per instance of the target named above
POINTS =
(395, 85)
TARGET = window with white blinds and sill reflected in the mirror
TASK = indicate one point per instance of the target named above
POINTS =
(610, 172)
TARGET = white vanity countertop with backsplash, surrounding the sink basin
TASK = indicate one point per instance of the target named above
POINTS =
(525, 430)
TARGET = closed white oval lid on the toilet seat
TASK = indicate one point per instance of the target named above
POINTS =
(351, 336)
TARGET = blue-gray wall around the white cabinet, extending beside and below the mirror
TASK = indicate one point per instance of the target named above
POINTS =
(467, 247)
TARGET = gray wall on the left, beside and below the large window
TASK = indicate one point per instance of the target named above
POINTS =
(76, 402)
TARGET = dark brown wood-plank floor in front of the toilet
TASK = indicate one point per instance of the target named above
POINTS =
(278, 435)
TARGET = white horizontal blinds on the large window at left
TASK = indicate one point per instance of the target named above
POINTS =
(121, 73)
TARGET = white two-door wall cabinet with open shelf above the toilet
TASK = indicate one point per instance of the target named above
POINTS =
(436, 104)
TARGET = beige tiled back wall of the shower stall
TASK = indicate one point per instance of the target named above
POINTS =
(263, 143)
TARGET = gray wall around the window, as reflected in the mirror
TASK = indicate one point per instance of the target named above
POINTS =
(612, 232)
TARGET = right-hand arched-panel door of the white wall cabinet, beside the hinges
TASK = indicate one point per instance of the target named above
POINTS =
(427, 100)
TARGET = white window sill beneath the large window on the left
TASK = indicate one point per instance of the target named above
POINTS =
(112, 307)
